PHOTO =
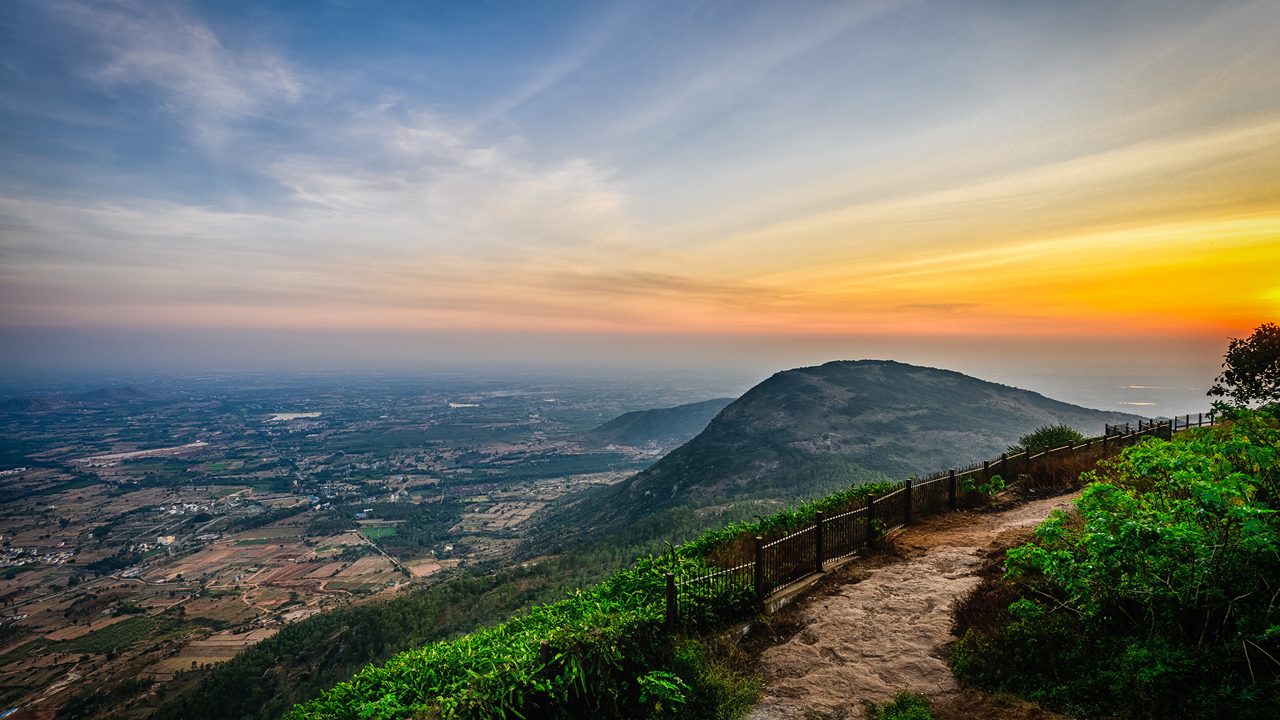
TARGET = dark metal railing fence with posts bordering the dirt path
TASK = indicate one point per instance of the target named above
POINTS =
(781, 563)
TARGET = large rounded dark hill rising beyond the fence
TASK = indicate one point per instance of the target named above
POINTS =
(810, 431)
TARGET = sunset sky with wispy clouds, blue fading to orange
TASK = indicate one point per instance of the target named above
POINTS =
(764, 184)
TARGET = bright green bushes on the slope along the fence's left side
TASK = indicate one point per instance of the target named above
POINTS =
(601, 653)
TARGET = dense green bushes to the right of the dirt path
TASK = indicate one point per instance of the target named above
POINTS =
(1159, 598)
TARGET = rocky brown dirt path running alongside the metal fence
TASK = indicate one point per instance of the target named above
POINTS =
(863, 641)
